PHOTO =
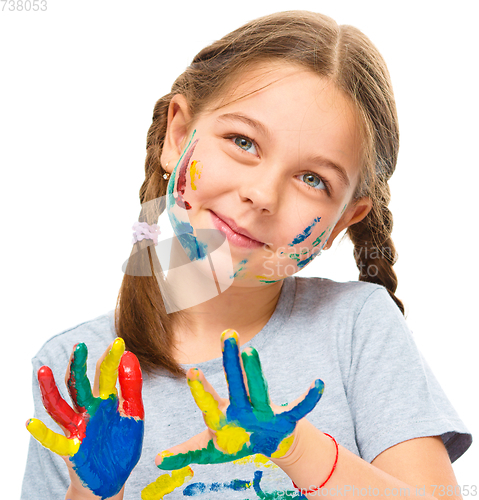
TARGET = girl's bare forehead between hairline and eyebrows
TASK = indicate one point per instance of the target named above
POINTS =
(306, 110)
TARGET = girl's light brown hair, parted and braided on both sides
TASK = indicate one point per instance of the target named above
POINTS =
(316, 42)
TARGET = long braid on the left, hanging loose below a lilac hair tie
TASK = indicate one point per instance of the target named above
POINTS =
(142, 320)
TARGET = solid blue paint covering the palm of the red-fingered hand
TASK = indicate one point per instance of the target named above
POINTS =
(106, 458)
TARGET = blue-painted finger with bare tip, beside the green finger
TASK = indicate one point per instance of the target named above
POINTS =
(234, 373)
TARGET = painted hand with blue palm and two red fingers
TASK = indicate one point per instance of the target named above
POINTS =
(104, 434)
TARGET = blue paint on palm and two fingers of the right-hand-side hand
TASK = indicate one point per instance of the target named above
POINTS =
(266, 433)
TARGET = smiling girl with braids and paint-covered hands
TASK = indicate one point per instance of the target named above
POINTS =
(274, 140)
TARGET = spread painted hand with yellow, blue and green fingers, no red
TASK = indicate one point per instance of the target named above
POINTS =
(249, 425)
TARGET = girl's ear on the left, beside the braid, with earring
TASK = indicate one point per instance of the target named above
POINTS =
(179, 118)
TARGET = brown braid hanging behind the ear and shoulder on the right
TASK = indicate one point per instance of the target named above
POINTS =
(374, 250)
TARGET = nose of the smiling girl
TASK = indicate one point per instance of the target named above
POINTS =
(261, 188)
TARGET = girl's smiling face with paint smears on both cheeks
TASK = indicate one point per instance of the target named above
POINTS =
(274, 169)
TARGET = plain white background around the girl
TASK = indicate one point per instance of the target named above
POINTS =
(78, 86)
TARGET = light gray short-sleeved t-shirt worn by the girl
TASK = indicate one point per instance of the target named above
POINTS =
(378, 390)
